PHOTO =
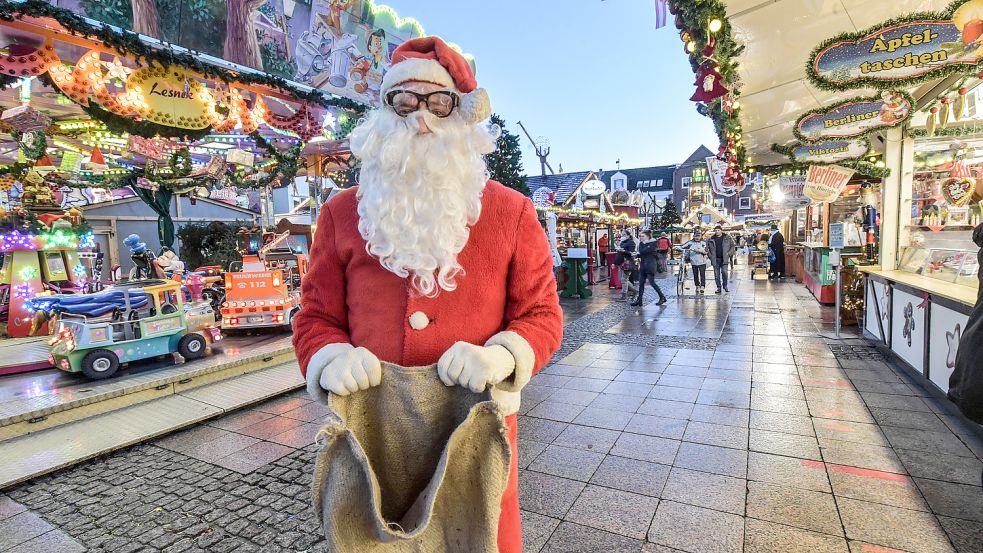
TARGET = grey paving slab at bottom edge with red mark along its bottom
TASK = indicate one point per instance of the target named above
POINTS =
(893, 527)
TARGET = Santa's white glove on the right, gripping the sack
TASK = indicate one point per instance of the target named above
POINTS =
(475, 367)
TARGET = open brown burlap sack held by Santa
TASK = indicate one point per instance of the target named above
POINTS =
(412, 465)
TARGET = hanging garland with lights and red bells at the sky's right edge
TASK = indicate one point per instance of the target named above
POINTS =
(694, 15)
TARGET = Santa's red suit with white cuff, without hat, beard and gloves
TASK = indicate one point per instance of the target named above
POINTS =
(506, 297)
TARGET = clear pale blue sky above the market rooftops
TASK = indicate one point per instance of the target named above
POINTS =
(594, 77)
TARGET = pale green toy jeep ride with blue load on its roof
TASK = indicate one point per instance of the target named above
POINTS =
(150, 319)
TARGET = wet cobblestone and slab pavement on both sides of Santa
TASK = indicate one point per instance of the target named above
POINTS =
(712, 424)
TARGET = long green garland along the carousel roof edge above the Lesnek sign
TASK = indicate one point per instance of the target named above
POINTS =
(129, 43)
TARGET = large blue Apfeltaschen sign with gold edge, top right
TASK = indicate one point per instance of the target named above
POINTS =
(921, 46)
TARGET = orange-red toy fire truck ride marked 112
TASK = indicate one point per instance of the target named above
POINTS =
(266, 292)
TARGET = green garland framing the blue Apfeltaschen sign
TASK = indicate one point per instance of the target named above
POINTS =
(863, 82)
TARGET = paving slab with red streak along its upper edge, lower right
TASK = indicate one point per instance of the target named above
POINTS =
(876, 486)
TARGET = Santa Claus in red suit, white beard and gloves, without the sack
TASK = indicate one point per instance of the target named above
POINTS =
(427, 261)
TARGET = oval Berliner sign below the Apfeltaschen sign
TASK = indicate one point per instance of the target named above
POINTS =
(854, 118)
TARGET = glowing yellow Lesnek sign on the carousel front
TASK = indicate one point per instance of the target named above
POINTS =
(170, 97)
